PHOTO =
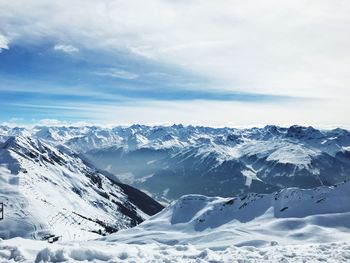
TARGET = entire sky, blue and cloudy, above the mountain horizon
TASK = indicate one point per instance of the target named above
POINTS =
(200, 62)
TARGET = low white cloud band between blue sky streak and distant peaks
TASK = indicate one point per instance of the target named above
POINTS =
(208, 113)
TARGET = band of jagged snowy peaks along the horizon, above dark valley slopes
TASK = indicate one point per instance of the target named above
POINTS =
(179, 136)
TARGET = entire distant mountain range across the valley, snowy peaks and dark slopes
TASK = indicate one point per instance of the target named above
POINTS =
(170, 161)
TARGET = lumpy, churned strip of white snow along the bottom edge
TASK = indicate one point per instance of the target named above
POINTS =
(22, 250)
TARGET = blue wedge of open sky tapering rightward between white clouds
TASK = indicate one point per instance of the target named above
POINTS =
(44, 82)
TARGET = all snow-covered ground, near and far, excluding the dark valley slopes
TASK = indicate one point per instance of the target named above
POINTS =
(291, 225)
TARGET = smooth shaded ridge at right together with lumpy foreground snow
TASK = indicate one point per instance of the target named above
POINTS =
(292, 225)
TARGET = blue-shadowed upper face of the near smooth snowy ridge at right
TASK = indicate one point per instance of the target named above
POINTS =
(203, 212)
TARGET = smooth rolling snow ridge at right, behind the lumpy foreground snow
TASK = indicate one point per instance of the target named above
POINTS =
(289, 216)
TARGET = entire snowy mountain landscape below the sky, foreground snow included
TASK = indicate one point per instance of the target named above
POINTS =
(283, 194)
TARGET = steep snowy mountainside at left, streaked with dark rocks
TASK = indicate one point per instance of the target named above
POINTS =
(46, 191)
